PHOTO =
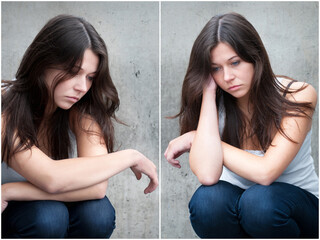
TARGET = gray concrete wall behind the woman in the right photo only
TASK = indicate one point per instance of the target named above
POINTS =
(289, 31)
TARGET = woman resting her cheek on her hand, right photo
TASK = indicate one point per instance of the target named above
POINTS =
(249, 135)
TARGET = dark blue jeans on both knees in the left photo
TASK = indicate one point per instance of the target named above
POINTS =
(53, 219)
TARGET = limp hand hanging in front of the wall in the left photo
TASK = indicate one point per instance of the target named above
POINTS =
(145, 166)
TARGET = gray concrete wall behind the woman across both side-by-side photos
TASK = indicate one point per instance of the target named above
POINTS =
(130, 30)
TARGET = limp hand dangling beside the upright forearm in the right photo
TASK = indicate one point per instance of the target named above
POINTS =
(177, 147)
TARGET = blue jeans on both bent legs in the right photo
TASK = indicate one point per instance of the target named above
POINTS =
(280, 210)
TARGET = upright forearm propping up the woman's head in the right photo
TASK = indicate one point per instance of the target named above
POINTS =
(206, 153)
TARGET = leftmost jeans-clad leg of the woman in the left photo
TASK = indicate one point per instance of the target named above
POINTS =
(35, 219)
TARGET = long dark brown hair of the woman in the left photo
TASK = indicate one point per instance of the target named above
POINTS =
(60, 44)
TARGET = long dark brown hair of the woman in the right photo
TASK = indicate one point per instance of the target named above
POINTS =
(269, 106)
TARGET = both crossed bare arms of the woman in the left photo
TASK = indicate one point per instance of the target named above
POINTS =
(76, 179)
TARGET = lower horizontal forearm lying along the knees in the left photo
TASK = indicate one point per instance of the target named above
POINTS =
(25, 191)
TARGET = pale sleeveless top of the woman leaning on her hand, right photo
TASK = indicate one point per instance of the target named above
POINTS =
(300, 172)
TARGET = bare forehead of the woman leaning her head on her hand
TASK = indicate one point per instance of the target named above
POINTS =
(221, 53)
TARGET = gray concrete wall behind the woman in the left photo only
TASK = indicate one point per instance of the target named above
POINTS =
(130, 31)
